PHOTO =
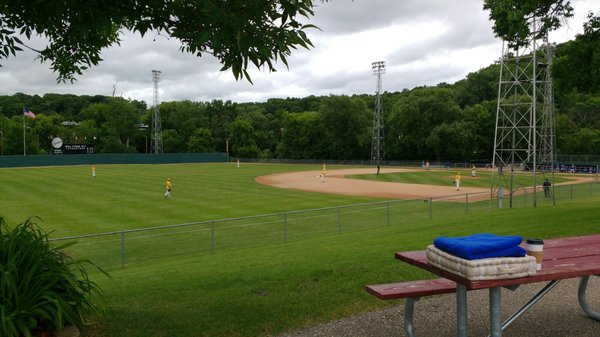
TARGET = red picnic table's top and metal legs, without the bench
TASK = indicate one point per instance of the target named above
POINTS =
(564, 258)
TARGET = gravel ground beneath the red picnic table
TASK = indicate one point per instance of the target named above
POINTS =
(557, 314)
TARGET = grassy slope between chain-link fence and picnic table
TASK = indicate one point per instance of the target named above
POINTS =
(281, 287)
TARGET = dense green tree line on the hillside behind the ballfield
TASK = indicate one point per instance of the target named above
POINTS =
(437, 123)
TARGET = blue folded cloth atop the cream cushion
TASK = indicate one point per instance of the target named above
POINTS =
(481, 246)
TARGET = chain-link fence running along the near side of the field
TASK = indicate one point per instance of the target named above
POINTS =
(134, 247)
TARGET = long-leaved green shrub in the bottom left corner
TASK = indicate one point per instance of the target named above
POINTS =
(41, 287)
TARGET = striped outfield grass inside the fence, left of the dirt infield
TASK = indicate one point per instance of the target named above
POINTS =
(72, 202)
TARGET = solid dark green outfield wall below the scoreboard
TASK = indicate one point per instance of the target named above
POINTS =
(98, 159)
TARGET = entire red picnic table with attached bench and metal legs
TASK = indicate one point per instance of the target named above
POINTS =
(564, 258)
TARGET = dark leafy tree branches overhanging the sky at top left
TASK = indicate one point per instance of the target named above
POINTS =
(237, 32)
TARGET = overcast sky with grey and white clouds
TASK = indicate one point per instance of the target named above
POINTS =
(423, 42)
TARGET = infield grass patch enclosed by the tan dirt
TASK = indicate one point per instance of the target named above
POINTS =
(446, 178)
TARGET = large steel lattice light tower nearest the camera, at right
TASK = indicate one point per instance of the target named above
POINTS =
(525, 133)
